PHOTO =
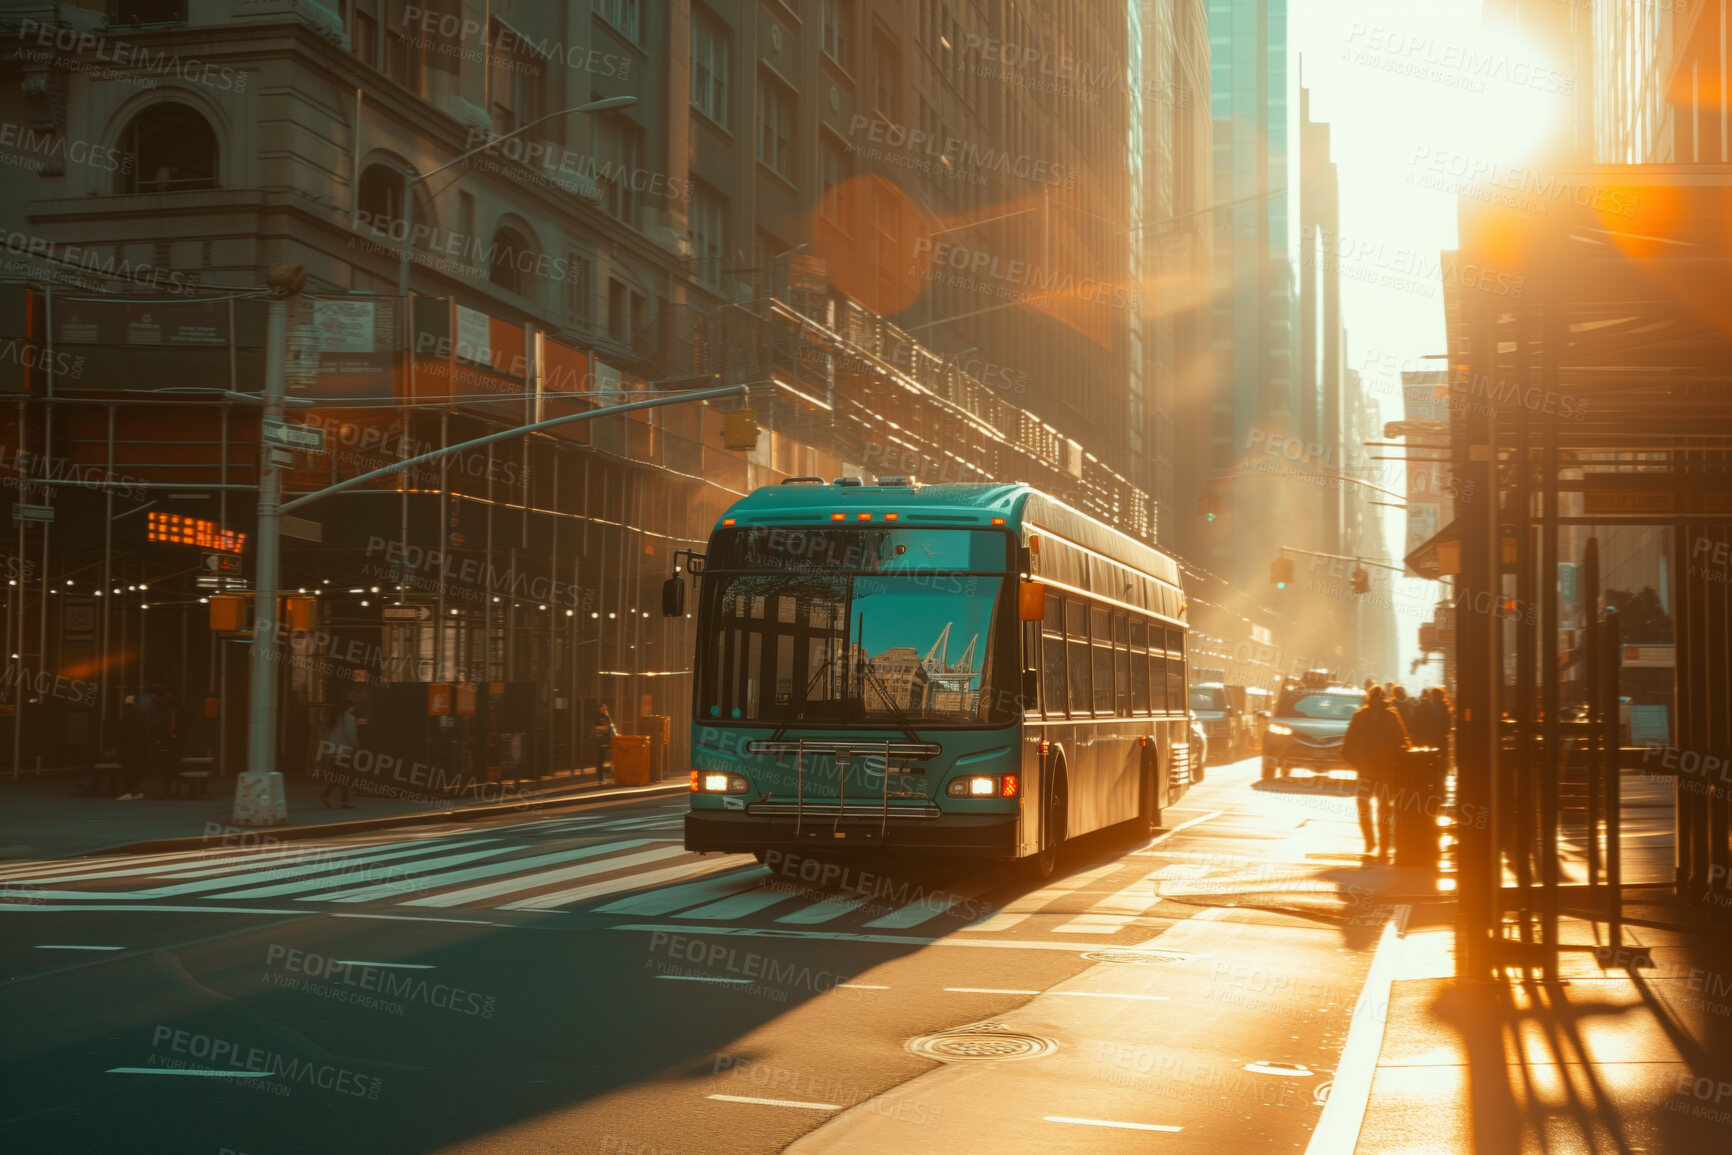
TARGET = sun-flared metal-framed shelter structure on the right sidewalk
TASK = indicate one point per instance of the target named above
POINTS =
(1591, 432)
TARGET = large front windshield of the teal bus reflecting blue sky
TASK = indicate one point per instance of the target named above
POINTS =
(827, 648)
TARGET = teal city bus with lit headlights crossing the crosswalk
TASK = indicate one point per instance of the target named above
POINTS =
(929, 671)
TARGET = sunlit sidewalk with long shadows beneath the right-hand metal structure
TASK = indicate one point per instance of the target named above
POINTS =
(1627, 1054)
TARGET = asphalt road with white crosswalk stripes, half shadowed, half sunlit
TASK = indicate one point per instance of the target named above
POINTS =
(583, 984)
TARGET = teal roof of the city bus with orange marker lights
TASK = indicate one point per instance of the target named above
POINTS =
(1016, 507)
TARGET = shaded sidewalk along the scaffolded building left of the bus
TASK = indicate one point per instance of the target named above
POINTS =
(42, 816)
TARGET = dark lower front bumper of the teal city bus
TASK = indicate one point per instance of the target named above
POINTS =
(960, 836)
